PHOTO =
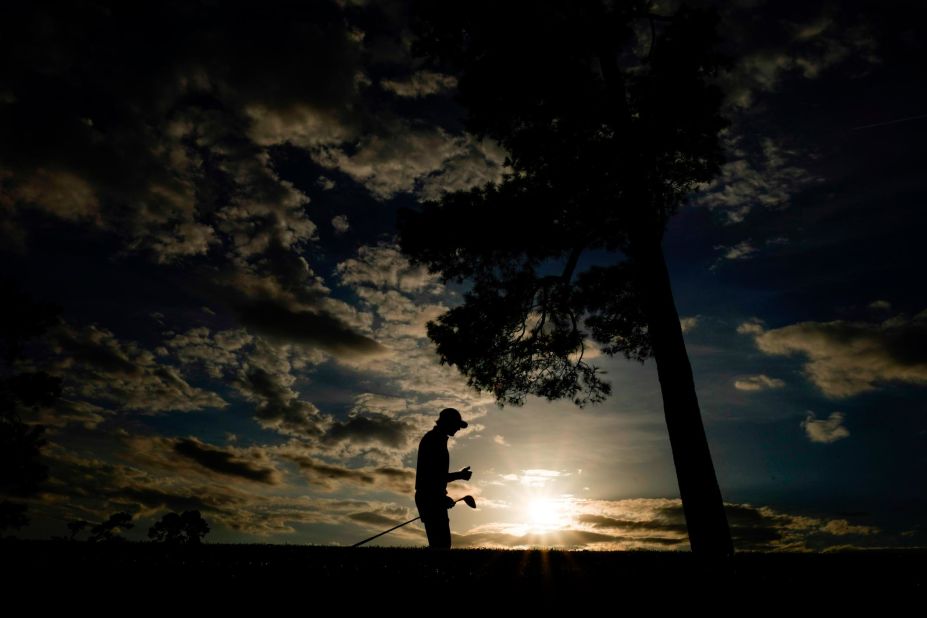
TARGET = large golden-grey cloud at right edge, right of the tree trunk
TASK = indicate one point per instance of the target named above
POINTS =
(847, 358)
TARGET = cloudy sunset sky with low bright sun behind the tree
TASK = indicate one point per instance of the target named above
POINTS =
(210, 194)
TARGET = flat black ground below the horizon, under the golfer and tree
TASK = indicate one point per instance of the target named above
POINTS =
(886, 577)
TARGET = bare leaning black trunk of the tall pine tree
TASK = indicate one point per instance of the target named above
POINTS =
(709, 534)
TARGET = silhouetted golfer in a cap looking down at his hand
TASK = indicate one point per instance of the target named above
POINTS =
(432, 477)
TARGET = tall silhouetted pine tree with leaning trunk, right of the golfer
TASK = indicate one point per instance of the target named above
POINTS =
(609, 118)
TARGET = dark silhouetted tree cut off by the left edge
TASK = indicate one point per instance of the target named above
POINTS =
(21, 471)
